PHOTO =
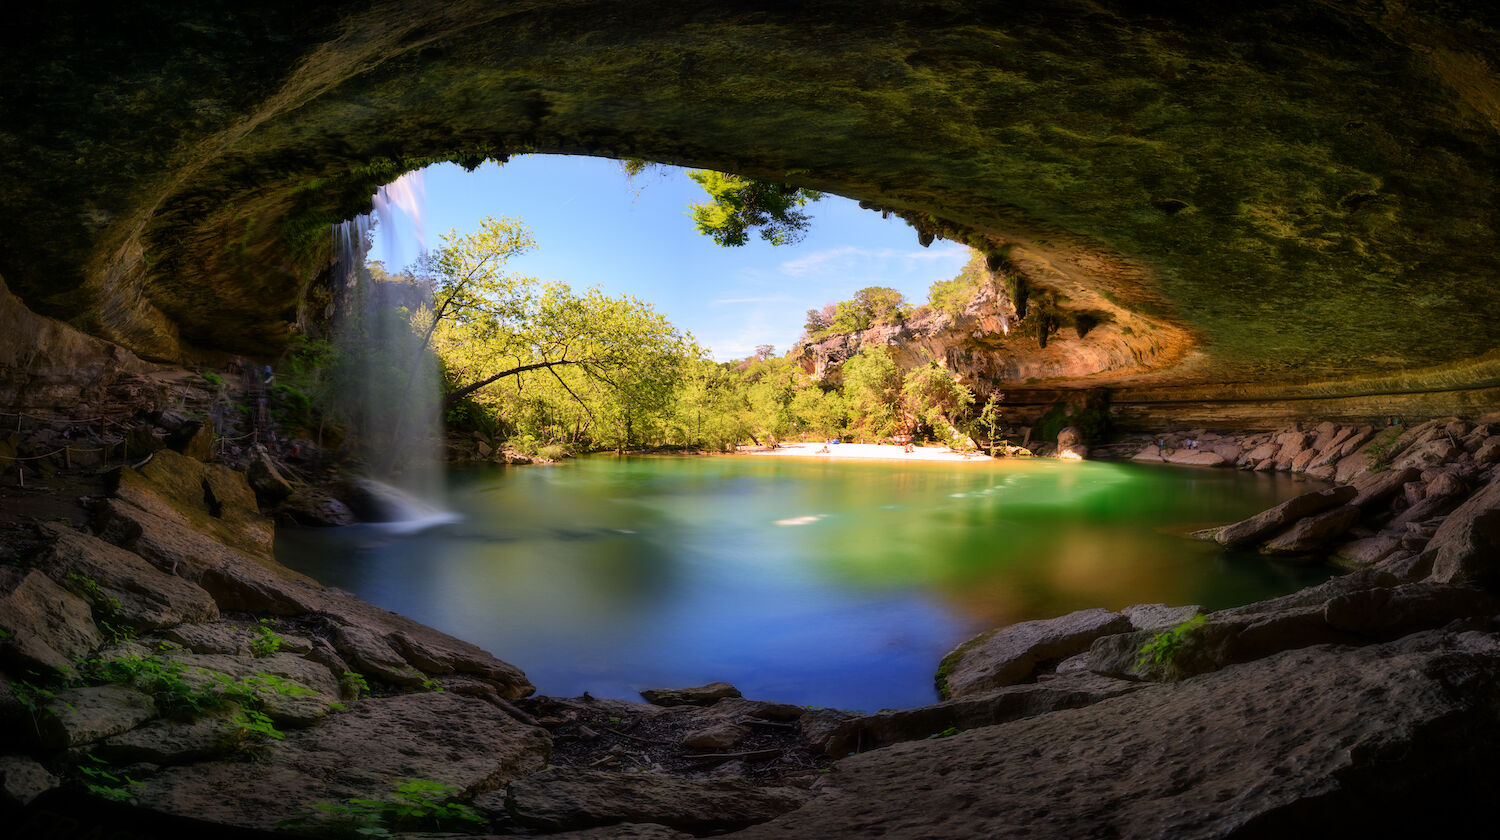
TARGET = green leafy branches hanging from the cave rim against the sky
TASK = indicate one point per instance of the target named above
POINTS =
(739, 205)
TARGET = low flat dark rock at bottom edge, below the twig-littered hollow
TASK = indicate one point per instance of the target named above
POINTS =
(565, 799)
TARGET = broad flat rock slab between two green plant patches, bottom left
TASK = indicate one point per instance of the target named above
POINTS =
(359, 754)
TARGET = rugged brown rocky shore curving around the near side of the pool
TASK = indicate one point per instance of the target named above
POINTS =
(163, 656)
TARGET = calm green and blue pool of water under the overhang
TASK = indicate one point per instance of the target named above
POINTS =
(800, 581)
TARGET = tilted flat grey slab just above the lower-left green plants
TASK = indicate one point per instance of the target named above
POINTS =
(125, 590)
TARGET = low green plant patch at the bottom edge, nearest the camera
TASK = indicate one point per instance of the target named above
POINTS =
(418, 805)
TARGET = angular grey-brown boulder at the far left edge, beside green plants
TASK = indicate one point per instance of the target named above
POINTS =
(46, 626)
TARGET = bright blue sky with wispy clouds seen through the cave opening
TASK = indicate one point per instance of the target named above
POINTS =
(595, 227)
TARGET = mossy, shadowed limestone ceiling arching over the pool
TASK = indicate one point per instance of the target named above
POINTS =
(1292, 193)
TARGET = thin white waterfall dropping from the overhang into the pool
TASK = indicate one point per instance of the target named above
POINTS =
(389, 379)
